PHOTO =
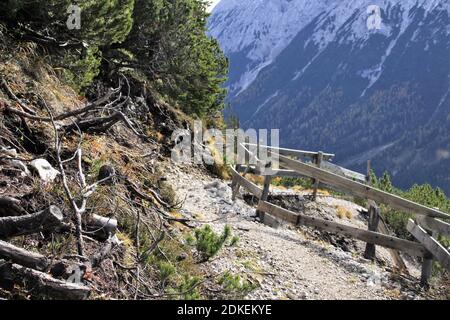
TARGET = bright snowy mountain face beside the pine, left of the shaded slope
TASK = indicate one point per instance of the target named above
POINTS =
(260, 30)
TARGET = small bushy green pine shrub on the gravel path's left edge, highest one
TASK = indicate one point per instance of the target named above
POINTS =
(208, 242)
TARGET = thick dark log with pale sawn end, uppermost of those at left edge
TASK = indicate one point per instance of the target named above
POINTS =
(47, 219)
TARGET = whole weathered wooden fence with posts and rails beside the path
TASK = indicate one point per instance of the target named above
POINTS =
(425, 227)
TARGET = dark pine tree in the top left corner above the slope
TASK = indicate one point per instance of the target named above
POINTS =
(103, 23)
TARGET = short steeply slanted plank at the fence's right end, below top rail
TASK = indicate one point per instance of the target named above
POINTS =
(433, 246)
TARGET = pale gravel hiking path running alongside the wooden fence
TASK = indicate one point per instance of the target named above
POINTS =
(286, 262)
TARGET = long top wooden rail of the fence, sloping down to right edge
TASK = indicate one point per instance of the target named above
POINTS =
(361, 190)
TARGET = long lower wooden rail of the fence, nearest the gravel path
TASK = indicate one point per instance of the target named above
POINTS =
(376, 238)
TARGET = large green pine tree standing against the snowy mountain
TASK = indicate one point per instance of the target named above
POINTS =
(169, 42)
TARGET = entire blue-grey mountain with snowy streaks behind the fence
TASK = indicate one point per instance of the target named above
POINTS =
(331, 77)
